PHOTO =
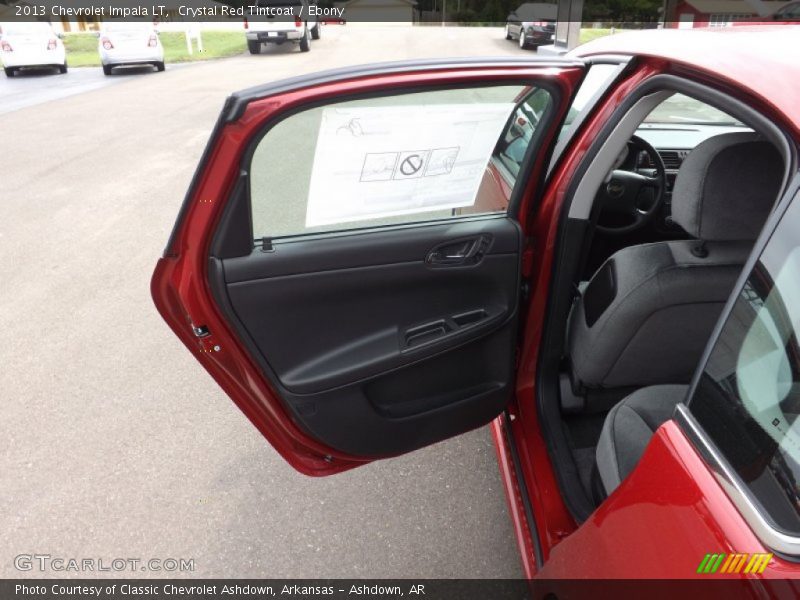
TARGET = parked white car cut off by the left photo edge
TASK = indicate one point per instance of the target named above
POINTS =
(30, 45)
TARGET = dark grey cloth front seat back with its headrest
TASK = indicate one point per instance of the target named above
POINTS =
(646, 315)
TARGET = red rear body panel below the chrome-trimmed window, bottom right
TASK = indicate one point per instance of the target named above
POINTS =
(660, 522)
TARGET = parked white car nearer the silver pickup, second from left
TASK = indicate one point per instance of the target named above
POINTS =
(129, 44)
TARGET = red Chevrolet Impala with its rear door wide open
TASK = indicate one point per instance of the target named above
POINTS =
(599, 255)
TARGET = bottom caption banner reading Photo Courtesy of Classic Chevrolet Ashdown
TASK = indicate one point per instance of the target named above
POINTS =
(429, 589)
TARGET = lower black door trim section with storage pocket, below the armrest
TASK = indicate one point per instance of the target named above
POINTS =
(412, 407)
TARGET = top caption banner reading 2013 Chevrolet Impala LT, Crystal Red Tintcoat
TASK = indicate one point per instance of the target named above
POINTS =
(609, 13)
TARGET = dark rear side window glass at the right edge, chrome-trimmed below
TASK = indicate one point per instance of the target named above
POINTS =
(748, 397)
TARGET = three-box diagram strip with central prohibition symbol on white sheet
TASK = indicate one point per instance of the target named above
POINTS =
(384, 166)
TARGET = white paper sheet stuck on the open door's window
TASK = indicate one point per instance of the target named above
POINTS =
(375, 162)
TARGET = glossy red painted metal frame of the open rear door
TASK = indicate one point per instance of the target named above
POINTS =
(179, 285)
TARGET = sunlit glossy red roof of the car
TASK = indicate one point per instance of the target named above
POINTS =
(763, 59)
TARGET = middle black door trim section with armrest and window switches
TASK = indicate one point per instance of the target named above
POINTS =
(368, 320)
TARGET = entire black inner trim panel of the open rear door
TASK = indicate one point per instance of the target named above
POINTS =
(408, 327)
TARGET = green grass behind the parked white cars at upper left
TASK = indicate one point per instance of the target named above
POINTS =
(82, 47)
